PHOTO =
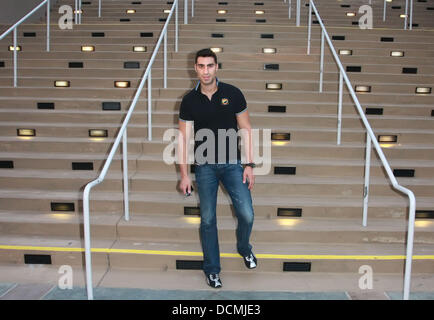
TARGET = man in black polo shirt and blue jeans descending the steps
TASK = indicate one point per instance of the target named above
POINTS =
(216, 107)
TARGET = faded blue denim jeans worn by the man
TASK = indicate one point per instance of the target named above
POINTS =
(207, 180)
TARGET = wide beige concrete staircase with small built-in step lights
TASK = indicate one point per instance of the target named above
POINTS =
(321, 237)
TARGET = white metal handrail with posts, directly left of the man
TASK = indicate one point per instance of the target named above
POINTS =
(123, 135)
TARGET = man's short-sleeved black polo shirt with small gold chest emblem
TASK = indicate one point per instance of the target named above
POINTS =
(219, 113)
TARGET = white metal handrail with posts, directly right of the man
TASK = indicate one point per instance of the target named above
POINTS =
(370, 138)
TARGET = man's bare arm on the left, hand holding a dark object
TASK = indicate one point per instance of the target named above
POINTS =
(183, 139)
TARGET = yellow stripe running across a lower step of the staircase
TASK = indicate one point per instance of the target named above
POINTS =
(226, 255)
